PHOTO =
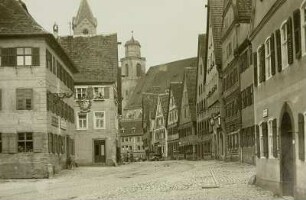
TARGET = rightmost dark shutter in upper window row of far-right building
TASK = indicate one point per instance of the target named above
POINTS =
(297, 32)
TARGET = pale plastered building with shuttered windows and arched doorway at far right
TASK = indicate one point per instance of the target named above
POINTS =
(278, 43)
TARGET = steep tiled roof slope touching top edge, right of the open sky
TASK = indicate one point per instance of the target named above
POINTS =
(216, 13)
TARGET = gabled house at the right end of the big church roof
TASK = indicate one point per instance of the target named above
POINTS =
(187, 116)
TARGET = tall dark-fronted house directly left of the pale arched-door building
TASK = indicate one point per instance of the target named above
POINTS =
(235, 48)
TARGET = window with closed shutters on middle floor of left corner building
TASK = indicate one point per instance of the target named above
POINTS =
(24, 98)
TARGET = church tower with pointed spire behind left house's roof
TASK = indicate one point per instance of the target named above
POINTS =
(84, 23)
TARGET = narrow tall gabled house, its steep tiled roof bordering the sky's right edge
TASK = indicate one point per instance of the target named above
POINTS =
(213, 139)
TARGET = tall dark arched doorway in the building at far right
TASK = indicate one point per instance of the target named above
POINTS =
(287, 155)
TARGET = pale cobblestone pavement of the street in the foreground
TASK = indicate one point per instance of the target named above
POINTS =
(175, 180)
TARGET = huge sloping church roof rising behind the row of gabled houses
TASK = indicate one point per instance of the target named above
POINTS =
(158, 79)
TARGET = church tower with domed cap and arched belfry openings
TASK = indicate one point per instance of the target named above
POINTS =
(133, 67)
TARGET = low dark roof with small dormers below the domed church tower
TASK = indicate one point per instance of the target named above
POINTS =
(131, 127)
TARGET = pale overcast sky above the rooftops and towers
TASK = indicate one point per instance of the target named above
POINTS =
(167, 29)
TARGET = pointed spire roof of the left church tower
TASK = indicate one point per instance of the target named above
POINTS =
(84, 13)
